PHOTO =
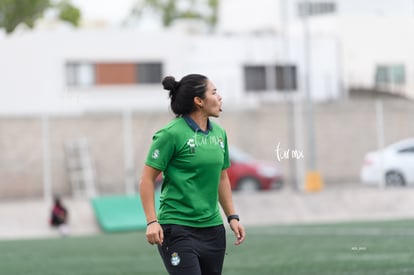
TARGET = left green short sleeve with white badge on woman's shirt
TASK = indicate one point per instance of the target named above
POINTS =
(161, 150)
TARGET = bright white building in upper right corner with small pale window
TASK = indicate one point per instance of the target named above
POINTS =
(375, 36)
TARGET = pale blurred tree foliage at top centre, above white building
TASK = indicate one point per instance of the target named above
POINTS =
(171, 10)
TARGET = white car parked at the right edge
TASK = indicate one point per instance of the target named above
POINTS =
(393, 165)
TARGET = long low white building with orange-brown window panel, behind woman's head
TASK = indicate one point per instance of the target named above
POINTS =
(67, 71)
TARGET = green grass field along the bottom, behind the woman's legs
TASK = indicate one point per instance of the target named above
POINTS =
(363, 248)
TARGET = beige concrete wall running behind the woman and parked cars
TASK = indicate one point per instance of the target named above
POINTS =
(344, 132)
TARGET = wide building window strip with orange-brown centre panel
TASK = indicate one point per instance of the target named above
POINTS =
(81, 74)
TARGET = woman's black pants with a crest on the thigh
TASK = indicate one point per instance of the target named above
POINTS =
(193, 251)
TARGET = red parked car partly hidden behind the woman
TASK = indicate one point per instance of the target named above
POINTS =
(249, 174)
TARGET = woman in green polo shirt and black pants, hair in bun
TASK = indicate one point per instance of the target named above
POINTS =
(192, 153)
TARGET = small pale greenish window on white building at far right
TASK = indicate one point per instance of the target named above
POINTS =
(390, 74)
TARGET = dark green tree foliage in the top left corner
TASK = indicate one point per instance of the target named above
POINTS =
(27, 12)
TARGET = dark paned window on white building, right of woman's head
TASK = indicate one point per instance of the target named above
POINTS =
(270, 78)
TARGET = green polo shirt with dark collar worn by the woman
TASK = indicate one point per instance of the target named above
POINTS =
(192, 161)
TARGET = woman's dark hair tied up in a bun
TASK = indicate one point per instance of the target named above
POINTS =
(183, 92)
